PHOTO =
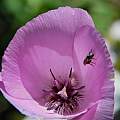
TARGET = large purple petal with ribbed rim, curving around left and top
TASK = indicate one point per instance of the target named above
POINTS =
(41, 44)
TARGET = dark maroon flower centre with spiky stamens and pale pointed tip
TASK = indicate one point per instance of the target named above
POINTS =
(64, 95)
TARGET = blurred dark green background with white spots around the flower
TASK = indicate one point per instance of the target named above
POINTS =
(106, 16)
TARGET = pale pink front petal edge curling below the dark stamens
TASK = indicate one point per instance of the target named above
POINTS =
(32, 109)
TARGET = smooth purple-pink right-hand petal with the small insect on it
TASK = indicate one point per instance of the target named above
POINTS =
(87, 38)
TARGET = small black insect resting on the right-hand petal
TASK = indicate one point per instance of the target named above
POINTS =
(89, 58)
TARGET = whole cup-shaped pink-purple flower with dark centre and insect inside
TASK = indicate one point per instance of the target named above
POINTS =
(58, 67)
